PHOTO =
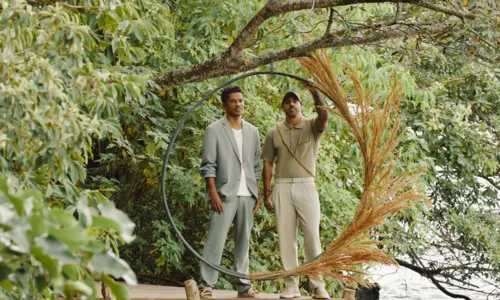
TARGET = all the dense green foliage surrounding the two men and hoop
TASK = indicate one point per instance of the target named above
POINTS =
(82, 123)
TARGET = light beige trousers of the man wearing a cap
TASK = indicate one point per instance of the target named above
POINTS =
(296, 201)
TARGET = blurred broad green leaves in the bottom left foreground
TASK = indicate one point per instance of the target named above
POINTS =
(47, 250)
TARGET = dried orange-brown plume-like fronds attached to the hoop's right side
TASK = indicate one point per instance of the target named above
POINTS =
(375, 126)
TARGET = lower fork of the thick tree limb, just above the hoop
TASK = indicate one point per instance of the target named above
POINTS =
(222, 66)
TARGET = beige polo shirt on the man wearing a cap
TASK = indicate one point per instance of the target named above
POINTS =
(303, 140)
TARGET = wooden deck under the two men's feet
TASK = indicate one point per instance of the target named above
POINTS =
(158, 292)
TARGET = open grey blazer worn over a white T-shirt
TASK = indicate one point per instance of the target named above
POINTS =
(220, 157)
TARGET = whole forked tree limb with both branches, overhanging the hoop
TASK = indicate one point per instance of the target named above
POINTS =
(231, 61)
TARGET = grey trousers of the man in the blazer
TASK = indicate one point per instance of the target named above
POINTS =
(238, 210)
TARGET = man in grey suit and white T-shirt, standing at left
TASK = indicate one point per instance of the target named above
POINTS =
(231, 168)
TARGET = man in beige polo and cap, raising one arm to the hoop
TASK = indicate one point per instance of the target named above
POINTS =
(293, 146)
